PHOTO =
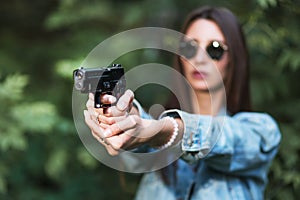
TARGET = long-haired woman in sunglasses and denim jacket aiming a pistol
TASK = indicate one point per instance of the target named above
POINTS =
(230, 162)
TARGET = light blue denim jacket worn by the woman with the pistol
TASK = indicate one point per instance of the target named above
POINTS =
(225, 157)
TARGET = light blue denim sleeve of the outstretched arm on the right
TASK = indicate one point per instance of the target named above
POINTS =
(234, 144)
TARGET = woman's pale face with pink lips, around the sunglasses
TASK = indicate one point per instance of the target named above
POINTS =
(203, 72)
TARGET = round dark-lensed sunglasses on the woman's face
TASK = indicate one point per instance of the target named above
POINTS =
(215, 49)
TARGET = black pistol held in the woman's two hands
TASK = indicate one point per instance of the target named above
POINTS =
(107, 80)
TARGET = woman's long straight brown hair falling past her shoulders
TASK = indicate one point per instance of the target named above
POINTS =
(237, 80)
